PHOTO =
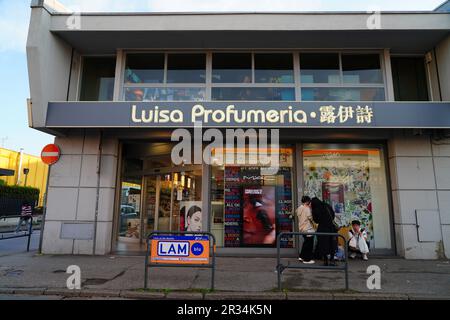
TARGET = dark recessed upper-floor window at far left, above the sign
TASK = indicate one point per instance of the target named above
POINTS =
(97, 83)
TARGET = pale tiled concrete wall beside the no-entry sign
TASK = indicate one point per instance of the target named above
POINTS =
(72, 194)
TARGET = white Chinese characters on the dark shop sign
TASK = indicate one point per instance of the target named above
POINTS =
(329, 114)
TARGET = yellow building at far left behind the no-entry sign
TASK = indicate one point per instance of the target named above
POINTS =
(17, 162)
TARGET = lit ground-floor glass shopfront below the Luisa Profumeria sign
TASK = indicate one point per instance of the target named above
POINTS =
(249, 204)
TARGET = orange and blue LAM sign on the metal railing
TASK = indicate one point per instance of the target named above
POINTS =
(180, 250)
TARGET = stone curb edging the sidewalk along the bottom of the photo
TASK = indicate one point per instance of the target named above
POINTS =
(180, 295)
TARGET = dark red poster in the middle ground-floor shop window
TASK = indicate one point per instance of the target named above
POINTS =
(259, 216)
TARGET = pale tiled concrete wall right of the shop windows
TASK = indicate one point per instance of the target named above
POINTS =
(420, 178)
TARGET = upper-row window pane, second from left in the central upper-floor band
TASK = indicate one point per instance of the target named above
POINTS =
(186, 68)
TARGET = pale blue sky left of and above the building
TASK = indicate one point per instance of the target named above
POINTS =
(14, 18)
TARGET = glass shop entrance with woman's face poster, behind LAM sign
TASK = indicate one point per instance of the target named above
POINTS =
(172, 200)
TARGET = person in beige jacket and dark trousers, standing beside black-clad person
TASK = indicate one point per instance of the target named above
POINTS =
(305, 224)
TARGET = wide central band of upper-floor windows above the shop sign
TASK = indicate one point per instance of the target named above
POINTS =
(253, 76)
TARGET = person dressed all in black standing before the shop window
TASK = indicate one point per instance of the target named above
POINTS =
(323, 214)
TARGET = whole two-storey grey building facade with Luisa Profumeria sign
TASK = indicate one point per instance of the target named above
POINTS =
(357, 103)
